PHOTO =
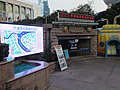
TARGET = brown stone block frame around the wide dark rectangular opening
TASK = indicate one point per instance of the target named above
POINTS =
(75, 32)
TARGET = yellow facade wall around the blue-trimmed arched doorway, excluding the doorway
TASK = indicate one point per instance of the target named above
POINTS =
(109, 32)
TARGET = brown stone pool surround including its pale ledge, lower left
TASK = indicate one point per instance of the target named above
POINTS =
(34, 79)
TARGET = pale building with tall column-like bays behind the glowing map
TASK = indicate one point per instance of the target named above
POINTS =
(14, 10)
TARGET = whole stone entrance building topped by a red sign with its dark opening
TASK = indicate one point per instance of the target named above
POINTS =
(74, 32)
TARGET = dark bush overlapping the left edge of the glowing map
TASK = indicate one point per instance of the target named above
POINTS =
(4, 51)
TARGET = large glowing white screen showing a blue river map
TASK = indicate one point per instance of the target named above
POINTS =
(22, 40)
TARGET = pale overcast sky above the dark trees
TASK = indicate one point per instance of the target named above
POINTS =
(97, 5)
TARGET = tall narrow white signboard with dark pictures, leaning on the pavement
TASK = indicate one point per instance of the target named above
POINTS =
(61, 58)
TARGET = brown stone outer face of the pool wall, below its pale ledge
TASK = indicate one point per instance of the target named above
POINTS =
(35, 81)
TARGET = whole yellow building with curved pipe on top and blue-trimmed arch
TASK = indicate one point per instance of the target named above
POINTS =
(109, 39)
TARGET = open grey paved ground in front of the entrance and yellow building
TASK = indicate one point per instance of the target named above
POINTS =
(90, 74)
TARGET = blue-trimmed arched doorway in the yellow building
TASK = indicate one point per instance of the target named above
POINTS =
(113, 48)
